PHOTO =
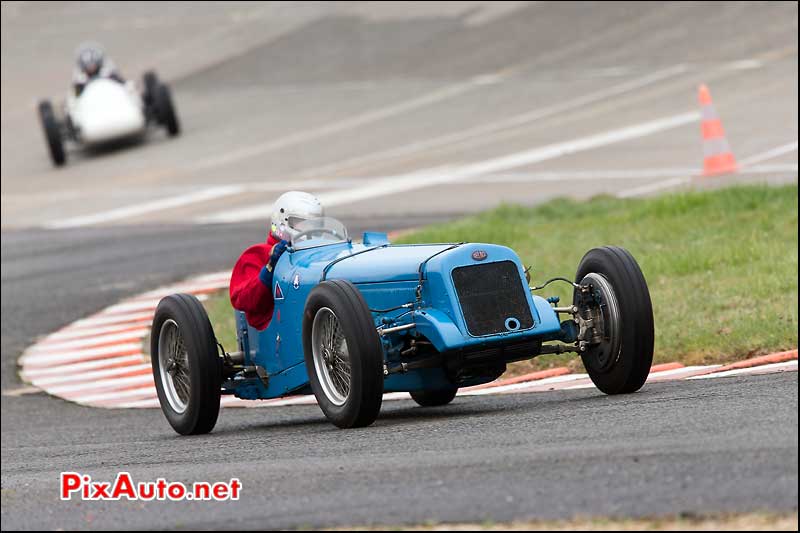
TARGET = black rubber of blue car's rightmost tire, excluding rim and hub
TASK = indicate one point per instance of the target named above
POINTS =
(626, 370)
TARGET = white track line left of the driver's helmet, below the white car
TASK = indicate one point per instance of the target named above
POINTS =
(204, 195)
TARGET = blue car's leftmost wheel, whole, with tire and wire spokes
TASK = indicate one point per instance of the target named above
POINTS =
(186, 366)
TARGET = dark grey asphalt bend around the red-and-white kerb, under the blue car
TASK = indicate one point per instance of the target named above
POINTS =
(723, 445)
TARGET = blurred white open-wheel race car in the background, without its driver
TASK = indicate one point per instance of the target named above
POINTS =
(108, 111)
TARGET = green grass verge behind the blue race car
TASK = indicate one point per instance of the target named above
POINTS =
(721, 265)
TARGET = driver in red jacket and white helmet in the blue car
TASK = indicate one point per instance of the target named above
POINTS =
(251, 280)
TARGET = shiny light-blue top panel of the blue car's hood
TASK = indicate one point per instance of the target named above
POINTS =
(384, 263)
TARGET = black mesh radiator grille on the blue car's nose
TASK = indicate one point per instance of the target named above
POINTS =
(490, 295)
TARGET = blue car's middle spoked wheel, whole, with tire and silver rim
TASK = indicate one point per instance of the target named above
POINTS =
(343, 354)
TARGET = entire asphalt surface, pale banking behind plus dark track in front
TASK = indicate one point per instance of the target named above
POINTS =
(342, 95)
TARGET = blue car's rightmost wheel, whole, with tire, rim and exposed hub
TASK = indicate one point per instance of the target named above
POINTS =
(617, 314)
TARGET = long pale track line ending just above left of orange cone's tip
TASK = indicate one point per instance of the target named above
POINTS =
(487, 129)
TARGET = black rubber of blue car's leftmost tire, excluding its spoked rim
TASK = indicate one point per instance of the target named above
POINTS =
(204, 366)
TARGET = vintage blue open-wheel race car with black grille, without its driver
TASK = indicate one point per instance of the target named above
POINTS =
(355, 320)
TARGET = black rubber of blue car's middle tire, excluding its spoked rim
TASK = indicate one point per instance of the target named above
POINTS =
(362, 402)
